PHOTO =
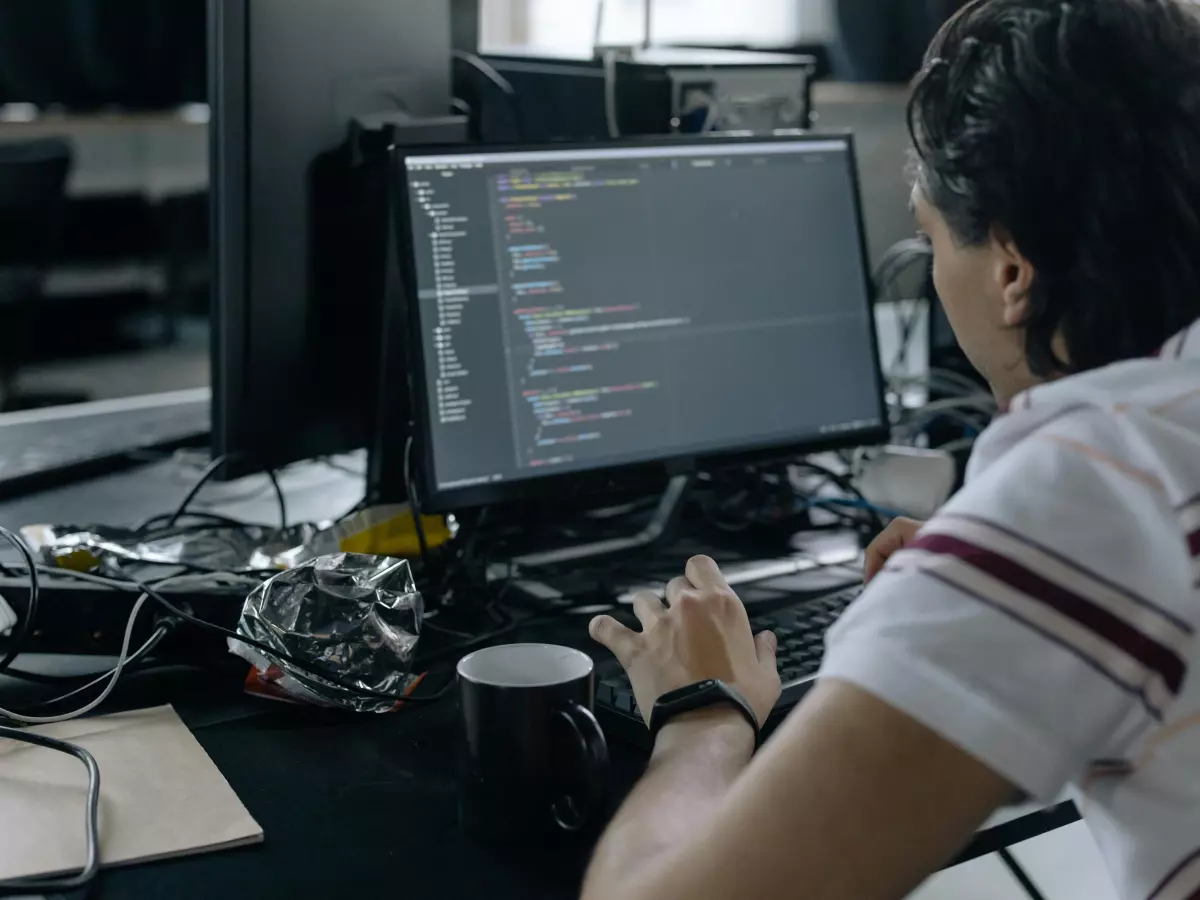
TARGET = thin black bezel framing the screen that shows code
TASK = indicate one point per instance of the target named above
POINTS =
(589, 482)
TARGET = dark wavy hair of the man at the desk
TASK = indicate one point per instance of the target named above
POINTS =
(1076, 129)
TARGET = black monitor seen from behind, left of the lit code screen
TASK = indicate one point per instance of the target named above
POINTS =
(296, 326)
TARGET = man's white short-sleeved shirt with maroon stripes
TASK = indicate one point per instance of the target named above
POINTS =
(1046, 620)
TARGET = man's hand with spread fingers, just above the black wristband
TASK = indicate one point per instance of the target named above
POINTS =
(705, 634)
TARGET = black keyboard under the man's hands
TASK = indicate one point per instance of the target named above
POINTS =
(801, 631)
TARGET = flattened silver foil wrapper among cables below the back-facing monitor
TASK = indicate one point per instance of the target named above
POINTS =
(219, 548)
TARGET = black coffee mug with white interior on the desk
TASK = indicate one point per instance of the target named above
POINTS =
(535, 760)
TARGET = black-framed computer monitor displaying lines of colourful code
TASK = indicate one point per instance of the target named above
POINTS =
(575, 313)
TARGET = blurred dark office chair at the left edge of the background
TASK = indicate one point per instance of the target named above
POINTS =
(33, 202)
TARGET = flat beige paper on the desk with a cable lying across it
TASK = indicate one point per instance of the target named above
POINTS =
(161, 796)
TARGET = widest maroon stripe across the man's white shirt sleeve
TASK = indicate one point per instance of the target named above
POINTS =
(1067, 603)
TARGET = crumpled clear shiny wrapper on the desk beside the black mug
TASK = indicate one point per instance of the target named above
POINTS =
(358, 617)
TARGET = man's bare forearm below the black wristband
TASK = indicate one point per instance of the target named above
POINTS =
(695, 761)
